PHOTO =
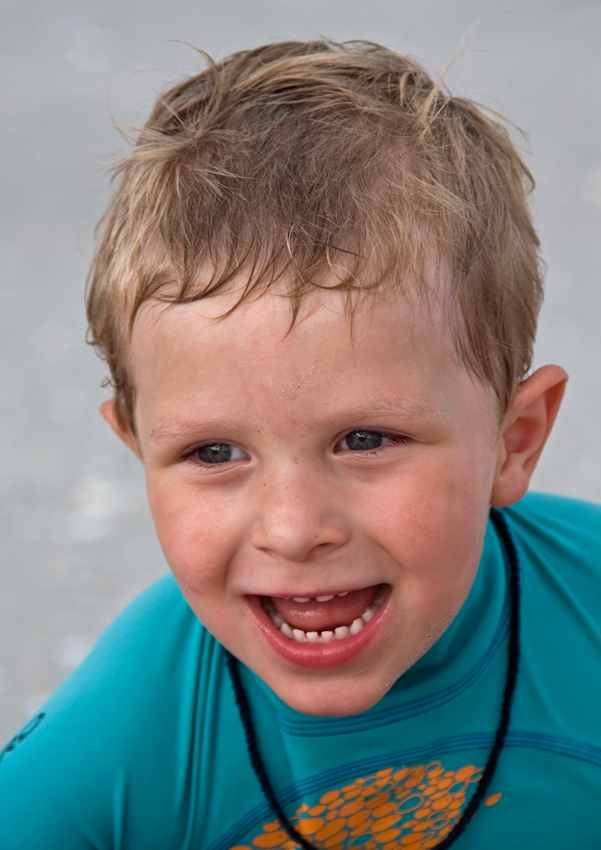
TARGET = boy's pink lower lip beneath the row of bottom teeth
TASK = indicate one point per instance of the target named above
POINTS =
(335, 653)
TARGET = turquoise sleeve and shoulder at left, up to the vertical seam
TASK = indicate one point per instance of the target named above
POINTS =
(128, 713)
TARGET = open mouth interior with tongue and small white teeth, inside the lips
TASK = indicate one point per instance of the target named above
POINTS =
(322, 619)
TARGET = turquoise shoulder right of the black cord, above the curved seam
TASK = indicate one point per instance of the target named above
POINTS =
(559, 544)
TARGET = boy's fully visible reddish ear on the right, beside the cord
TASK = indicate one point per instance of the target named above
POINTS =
(524, 432)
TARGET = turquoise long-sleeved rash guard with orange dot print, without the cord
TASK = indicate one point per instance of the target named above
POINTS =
(142, 747)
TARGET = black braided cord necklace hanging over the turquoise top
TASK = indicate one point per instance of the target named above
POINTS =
(487, 774)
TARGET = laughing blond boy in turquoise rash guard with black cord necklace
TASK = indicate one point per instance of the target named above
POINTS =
(317, 290)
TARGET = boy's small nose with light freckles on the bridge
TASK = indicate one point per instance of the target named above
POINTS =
(299, 517)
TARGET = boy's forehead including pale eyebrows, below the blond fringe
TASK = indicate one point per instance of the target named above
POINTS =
(190, 362)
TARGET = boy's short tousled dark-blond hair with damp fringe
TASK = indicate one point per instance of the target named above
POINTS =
(298, 158)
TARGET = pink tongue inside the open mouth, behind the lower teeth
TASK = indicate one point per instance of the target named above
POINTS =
(320, 616)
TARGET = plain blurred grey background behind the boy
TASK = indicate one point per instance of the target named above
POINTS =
(76, 542)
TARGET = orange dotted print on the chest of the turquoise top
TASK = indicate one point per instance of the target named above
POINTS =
(409, 809)
